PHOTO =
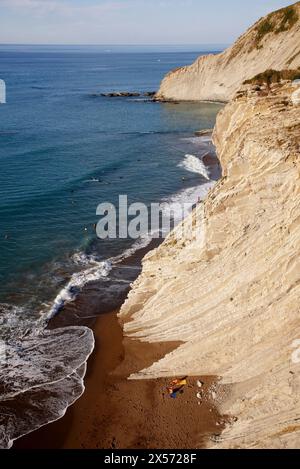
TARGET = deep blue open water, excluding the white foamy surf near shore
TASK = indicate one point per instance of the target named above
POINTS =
(55, 136)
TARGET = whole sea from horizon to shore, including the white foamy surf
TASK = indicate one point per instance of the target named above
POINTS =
(65, 149)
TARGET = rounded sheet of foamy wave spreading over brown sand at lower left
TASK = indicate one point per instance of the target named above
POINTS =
(41, 378)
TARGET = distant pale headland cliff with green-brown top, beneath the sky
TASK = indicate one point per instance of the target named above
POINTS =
(272, 43)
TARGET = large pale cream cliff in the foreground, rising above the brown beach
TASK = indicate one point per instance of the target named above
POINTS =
(231, 296)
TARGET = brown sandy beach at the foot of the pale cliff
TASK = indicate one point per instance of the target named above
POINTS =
(118, 413)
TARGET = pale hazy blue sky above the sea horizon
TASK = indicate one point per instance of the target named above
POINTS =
(169, 22)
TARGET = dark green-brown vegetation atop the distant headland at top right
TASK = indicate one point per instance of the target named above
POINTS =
(277, 22)
